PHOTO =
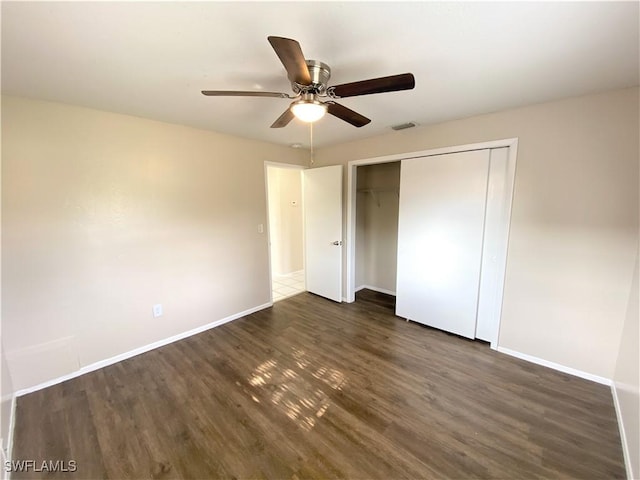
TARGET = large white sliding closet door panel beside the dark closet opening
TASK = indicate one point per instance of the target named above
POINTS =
(440, 235)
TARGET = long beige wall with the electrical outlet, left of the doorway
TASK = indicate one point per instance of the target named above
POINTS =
(105, 215)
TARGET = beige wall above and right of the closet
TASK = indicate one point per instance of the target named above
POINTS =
(574, 228)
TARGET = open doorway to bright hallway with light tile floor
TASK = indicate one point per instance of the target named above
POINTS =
(286, 238)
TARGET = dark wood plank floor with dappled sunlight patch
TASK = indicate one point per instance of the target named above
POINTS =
(314, 389)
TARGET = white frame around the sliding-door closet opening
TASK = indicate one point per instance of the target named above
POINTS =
(511, 143)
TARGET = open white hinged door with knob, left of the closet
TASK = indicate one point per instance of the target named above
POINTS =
(323, 231)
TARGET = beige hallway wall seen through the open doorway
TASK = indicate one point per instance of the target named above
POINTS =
(285, 219)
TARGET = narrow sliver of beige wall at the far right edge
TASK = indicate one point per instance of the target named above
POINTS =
(627, 381)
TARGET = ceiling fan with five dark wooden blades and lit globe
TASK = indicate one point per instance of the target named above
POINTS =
(309, 80)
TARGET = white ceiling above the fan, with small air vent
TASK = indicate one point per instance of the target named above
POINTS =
(152, 59)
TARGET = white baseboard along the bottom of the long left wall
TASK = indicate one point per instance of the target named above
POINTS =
(132, 353)
